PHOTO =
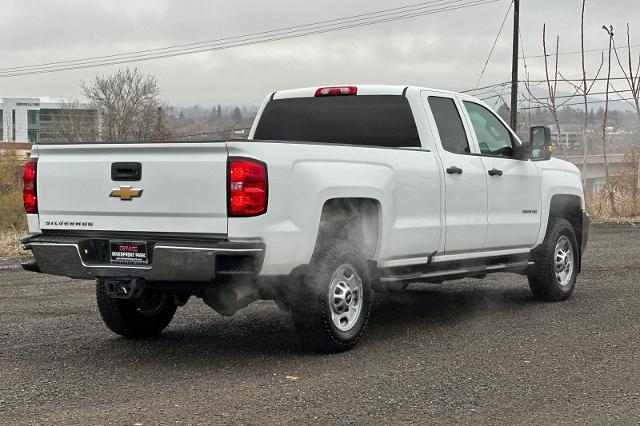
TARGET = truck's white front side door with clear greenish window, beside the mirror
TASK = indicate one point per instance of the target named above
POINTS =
(513, 184)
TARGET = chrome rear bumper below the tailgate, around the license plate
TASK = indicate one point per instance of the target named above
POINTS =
(186, 261)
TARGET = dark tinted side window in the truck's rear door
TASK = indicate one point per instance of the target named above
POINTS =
(449, 123)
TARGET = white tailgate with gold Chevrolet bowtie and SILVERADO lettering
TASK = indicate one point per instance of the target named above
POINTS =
(183, 187)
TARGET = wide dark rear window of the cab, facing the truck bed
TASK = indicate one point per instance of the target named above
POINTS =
(366, 120)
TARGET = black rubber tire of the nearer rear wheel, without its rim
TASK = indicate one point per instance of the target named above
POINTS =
(313, 314)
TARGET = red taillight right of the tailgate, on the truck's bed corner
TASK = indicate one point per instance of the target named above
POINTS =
(247, 187)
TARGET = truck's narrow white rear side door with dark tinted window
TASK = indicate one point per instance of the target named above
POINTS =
(465, 184)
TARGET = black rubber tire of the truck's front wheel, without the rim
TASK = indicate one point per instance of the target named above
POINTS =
(543, 280)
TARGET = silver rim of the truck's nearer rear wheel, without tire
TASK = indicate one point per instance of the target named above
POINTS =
(345, 297)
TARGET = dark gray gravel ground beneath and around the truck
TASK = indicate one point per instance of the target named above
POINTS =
(465, 352)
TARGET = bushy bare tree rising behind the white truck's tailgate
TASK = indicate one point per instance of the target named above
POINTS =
(129, 106)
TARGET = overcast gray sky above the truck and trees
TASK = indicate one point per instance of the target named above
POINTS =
(445, 50)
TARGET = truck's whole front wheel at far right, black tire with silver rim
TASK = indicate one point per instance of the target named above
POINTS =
(556, 259)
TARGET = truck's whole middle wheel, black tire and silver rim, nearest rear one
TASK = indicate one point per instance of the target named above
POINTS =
(336, 299)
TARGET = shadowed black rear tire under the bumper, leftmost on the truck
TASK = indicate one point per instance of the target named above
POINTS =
(127, 318)
